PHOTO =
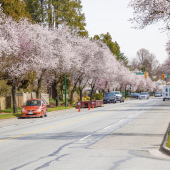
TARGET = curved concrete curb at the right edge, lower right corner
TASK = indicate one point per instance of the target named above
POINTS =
(163, 147)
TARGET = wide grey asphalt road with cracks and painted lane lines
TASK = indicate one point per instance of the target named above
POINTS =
(124, 136)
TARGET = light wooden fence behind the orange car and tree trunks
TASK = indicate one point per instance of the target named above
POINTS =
(6, 102)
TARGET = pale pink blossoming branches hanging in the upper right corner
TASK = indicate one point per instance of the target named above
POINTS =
(147, 12)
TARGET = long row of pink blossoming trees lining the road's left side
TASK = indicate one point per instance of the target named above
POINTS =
(30, 52)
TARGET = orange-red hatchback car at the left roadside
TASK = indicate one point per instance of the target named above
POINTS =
(34, 108)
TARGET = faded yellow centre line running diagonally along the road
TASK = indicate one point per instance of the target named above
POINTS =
(64, 123)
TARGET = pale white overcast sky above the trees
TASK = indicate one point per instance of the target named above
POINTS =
(112, 16)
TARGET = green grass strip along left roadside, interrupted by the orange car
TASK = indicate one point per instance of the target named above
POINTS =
(8, 113)
